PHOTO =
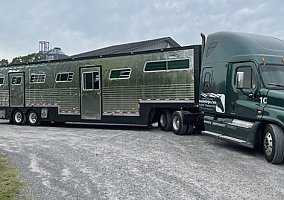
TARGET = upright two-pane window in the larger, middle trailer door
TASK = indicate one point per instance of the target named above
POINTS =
(91, 80)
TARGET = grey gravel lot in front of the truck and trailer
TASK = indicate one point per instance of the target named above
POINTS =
(90, 162)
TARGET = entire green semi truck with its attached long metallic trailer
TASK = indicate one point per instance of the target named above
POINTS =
(230, 87)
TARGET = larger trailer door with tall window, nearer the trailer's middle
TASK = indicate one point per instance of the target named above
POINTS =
(91, 93)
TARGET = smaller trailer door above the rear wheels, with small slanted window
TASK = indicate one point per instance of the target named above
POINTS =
(17, 88)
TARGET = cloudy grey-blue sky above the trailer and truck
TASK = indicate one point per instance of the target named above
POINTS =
(78, 26)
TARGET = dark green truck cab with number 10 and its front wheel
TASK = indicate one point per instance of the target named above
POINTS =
(242, 91)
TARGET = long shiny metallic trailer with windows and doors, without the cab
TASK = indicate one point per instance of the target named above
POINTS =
(133, 89)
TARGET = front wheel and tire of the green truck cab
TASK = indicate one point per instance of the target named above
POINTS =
(273, 144)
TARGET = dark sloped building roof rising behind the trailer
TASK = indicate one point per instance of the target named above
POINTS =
(160, 43)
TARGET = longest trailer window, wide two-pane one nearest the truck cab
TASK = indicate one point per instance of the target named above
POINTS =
(168, 65)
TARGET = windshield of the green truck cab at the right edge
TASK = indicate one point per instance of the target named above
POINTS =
(272, 76)
